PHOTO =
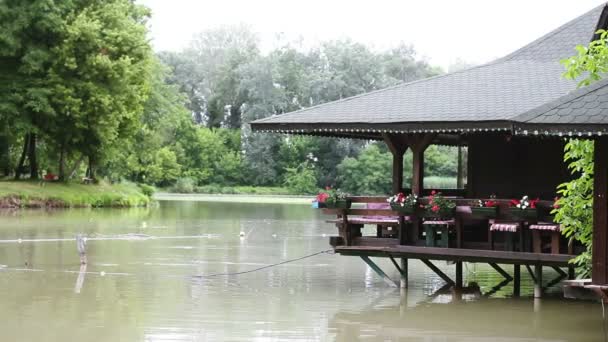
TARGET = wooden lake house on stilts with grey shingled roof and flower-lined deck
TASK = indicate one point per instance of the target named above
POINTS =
(514, 116)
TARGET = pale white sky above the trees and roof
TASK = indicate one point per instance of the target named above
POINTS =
(443, 31)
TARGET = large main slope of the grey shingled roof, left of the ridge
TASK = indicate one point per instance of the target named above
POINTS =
(497, 91)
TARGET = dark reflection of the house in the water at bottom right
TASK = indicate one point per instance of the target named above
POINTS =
(483, 320)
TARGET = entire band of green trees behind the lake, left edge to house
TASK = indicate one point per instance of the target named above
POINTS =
(83, 95)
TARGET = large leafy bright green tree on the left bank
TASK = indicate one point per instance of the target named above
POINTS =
(80, 71)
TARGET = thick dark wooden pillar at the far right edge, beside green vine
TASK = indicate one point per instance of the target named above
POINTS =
(599, 270)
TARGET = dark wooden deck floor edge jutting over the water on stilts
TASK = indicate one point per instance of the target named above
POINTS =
(455, 254)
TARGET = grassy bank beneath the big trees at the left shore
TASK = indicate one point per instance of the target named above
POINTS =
(26, 194)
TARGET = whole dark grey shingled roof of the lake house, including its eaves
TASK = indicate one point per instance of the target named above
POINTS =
(501, 95)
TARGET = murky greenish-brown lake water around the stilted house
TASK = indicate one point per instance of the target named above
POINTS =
(147, 280)
